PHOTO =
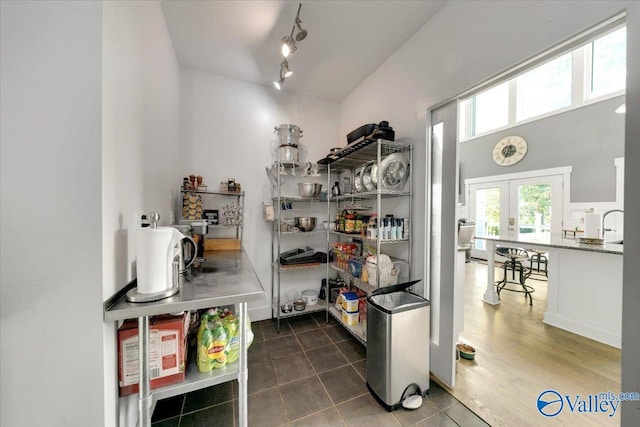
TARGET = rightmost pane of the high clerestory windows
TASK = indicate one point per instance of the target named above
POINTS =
(609, 71)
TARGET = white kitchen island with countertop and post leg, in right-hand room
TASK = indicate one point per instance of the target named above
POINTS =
(584, 285)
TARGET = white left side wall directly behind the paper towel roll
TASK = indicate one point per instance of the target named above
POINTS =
(140, 149)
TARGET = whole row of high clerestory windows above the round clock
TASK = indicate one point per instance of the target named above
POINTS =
(593, 71)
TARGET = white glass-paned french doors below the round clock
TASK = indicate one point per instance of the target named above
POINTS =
(526, 209)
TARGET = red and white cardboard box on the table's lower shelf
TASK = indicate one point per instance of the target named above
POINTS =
(167, 352)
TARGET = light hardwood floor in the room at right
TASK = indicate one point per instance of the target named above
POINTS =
(518, 357)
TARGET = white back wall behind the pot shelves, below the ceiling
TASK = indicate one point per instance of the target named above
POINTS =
(227, 130)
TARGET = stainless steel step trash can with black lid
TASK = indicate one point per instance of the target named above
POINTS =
(397, 344)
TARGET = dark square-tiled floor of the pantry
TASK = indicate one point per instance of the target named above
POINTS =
(310, 374)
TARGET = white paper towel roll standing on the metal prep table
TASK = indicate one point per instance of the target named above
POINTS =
(153, 255)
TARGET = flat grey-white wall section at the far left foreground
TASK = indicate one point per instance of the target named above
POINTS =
(51, 346)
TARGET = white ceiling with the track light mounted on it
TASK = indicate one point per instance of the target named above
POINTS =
(346, 41)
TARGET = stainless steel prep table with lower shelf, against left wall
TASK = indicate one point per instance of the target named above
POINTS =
(225, 278)
